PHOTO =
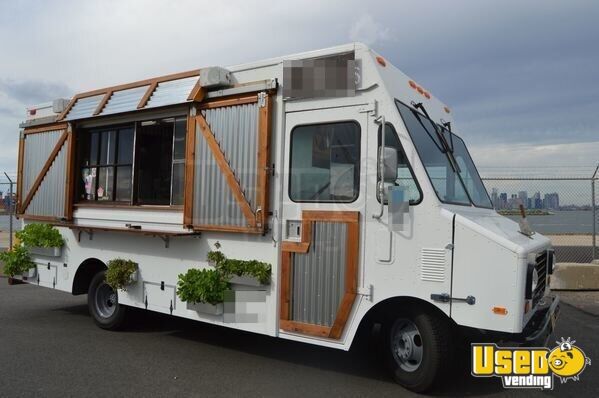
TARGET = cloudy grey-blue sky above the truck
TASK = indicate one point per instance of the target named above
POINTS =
(521, 78)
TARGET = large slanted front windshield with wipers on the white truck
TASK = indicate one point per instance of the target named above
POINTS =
(453, 175)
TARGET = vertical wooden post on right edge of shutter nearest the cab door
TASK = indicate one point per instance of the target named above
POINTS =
(263, 161)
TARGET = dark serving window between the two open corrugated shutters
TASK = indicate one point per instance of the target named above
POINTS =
(138, 163)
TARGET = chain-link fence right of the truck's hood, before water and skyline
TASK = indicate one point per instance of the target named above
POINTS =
(565, 209)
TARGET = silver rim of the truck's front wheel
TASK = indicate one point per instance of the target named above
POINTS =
(406, 345)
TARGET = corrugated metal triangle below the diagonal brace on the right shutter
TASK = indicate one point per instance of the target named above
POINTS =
(214, 203)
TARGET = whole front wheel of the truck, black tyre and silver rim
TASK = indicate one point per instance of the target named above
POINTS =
(417, 349)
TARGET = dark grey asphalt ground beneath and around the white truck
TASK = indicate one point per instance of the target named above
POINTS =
(50, 347)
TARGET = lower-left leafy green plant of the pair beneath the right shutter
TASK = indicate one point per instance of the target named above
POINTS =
(202, 286)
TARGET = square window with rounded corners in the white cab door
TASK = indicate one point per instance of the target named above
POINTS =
(325, 162)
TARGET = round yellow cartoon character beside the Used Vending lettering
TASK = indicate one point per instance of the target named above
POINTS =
(567, 360)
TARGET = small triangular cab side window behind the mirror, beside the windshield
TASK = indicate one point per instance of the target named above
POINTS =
(405, 176)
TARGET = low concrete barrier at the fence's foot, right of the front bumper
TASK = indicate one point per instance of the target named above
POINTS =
(574, 276)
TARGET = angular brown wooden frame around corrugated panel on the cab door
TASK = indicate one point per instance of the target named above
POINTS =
(352, 219)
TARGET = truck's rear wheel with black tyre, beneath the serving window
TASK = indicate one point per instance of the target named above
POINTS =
(103, 304)
